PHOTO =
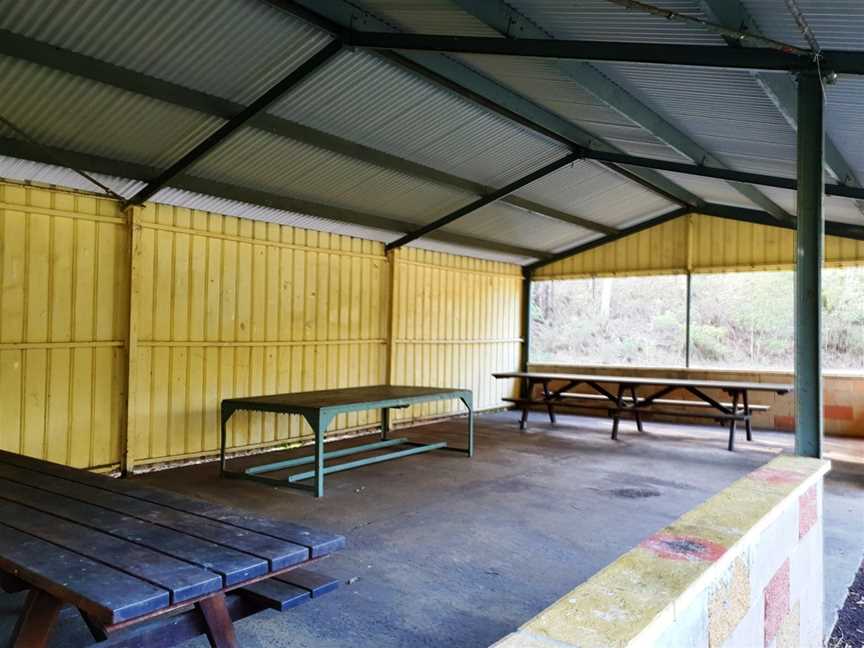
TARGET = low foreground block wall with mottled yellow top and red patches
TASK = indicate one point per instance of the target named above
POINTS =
(742, 570)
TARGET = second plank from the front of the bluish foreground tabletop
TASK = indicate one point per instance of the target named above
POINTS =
(182, 580)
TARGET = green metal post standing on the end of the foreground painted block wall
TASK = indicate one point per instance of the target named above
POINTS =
(808, 266)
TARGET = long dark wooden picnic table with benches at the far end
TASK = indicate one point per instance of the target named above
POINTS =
(623, 399)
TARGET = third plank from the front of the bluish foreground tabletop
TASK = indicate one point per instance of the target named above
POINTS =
(232, 565)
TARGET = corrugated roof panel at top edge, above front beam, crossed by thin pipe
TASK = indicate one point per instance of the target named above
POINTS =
(601, 20)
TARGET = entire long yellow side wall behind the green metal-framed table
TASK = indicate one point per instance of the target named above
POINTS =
(117, 342)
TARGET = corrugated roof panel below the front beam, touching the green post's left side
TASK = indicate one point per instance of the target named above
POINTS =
(725, 111)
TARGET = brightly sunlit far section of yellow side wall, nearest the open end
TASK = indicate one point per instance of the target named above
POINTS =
(455, 321)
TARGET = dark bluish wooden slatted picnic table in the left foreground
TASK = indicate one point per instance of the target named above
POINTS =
(142, 566)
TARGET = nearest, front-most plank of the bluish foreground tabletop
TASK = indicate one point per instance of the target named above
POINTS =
(107, 594)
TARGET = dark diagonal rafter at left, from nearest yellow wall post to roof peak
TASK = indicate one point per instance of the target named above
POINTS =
(304, 70)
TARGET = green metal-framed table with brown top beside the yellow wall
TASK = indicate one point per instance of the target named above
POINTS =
(319, 408)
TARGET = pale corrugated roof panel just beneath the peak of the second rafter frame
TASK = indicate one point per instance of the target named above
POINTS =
(589, 190)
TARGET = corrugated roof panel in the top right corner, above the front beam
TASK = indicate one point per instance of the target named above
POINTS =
(837, 24)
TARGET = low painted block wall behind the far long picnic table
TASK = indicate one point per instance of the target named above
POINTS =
(844, 395)
